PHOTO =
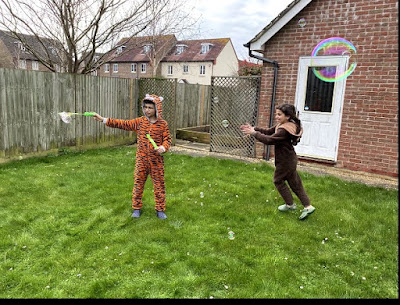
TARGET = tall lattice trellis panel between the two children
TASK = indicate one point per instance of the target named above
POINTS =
(234, 102)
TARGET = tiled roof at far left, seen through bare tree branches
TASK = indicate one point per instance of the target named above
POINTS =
(10, 42)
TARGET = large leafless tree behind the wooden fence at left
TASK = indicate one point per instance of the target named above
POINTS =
(71, 32)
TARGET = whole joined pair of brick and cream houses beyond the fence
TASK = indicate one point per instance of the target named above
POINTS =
(189, 61)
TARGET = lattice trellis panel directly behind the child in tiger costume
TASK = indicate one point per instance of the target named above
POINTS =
(167, 89)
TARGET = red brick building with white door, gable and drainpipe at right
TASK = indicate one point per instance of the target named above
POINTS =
(357, 126)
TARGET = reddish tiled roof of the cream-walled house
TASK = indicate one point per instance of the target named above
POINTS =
(192, 50)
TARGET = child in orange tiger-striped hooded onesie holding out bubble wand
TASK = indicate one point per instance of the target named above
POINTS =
(149, 160)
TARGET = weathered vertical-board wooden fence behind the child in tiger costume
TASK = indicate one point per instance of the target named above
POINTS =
(30, 102)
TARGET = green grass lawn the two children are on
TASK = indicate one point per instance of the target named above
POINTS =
(66, 232)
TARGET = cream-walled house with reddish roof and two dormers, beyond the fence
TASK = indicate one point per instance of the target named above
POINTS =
(196, 61)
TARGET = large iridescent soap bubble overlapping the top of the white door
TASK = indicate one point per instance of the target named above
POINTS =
(334, 46)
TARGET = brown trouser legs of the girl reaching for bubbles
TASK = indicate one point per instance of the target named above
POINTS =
(290, 175)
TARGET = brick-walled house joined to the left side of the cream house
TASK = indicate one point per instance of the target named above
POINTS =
(137, 57)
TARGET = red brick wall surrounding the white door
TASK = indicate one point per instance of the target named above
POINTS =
(369, 129)
